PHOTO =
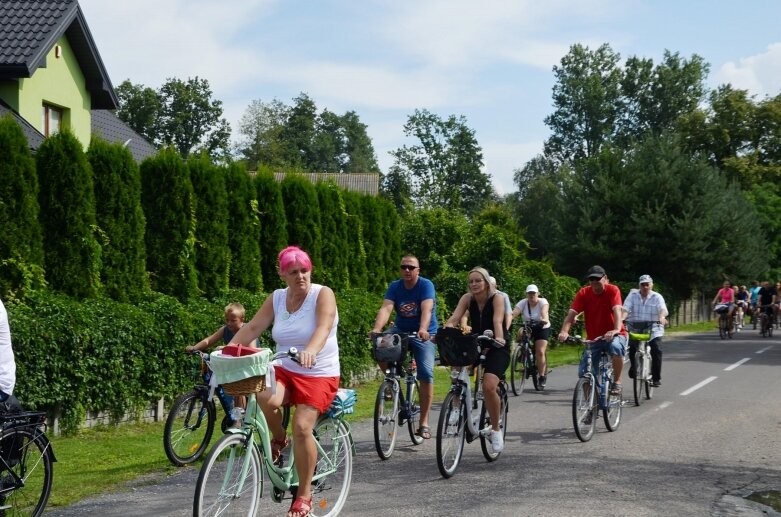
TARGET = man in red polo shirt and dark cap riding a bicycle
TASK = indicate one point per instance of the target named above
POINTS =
(600, 303)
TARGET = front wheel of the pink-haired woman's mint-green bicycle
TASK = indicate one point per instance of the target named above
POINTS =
(222, 489)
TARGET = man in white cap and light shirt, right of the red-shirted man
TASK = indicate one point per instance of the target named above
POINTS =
(646, 305)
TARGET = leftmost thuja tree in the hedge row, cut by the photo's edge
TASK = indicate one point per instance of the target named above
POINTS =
(21, 248)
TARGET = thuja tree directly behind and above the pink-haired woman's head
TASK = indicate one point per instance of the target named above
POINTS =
(303, 216)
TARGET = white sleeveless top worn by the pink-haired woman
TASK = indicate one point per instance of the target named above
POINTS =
(295, 329)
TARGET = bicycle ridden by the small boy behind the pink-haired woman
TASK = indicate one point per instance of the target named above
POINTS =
(190, 423)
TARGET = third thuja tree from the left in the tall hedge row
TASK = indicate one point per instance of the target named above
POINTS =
(118, 211)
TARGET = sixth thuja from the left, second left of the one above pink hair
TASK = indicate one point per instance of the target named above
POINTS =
(243, 230)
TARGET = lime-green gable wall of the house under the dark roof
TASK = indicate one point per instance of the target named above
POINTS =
(61, 84)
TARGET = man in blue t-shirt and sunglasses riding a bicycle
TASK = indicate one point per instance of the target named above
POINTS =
(414, 300)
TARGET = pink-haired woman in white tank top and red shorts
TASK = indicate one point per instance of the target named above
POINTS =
(303, 315)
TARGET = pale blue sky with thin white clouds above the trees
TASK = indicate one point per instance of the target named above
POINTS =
(489, 60)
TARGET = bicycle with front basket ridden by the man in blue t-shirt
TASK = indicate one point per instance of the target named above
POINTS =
(395, 405)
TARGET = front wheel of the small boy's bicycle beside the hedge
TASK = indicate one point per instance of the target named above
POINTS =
(188, 428)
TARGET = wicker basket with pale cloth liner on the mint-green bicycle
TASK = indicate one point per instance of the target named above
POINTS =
(240, 375)
